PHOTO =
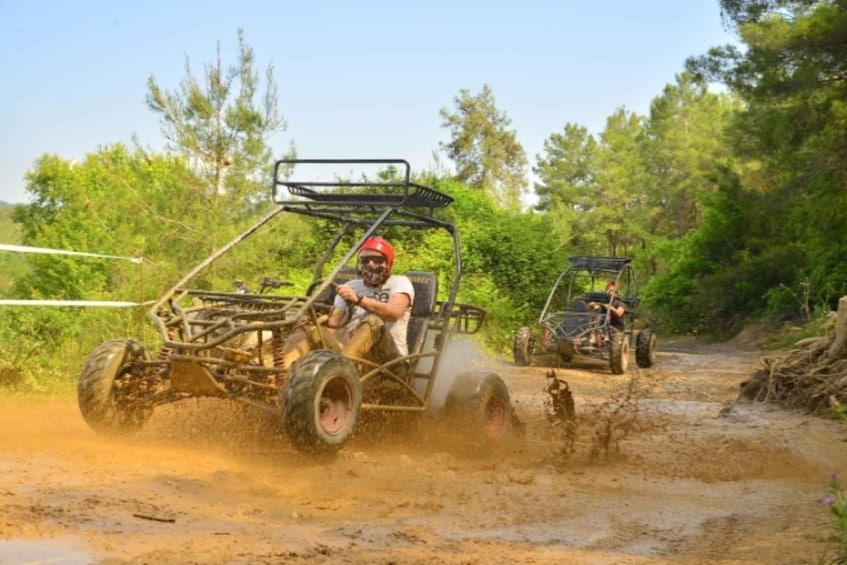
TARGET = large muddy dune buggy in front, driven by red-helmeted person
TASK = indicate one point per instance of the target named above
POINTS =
(230, 344)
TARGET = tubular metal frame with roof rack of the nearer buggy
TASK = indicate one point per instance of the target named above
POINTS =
(197, 325)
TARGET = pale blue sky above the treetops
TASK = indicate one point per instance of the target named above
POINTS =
(359, 79)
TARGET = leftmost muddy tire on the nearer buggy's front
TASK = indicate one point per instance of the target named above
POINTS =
(98, 388)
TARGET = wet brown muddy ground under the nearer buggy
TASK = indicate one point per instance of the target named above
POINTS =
(206, 482)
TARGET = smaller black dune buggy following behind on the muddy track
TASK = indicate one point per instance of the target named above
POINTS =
(569, 326)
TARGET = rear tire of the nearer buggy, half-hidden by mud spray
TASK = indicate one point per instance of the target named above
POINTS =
(479, 402)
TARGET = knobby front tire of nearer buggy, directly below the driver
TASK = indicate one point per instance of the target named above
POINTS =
(321, 401)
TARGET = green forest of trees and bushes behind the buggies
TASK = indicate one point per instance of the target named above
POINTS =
(729, 196)
